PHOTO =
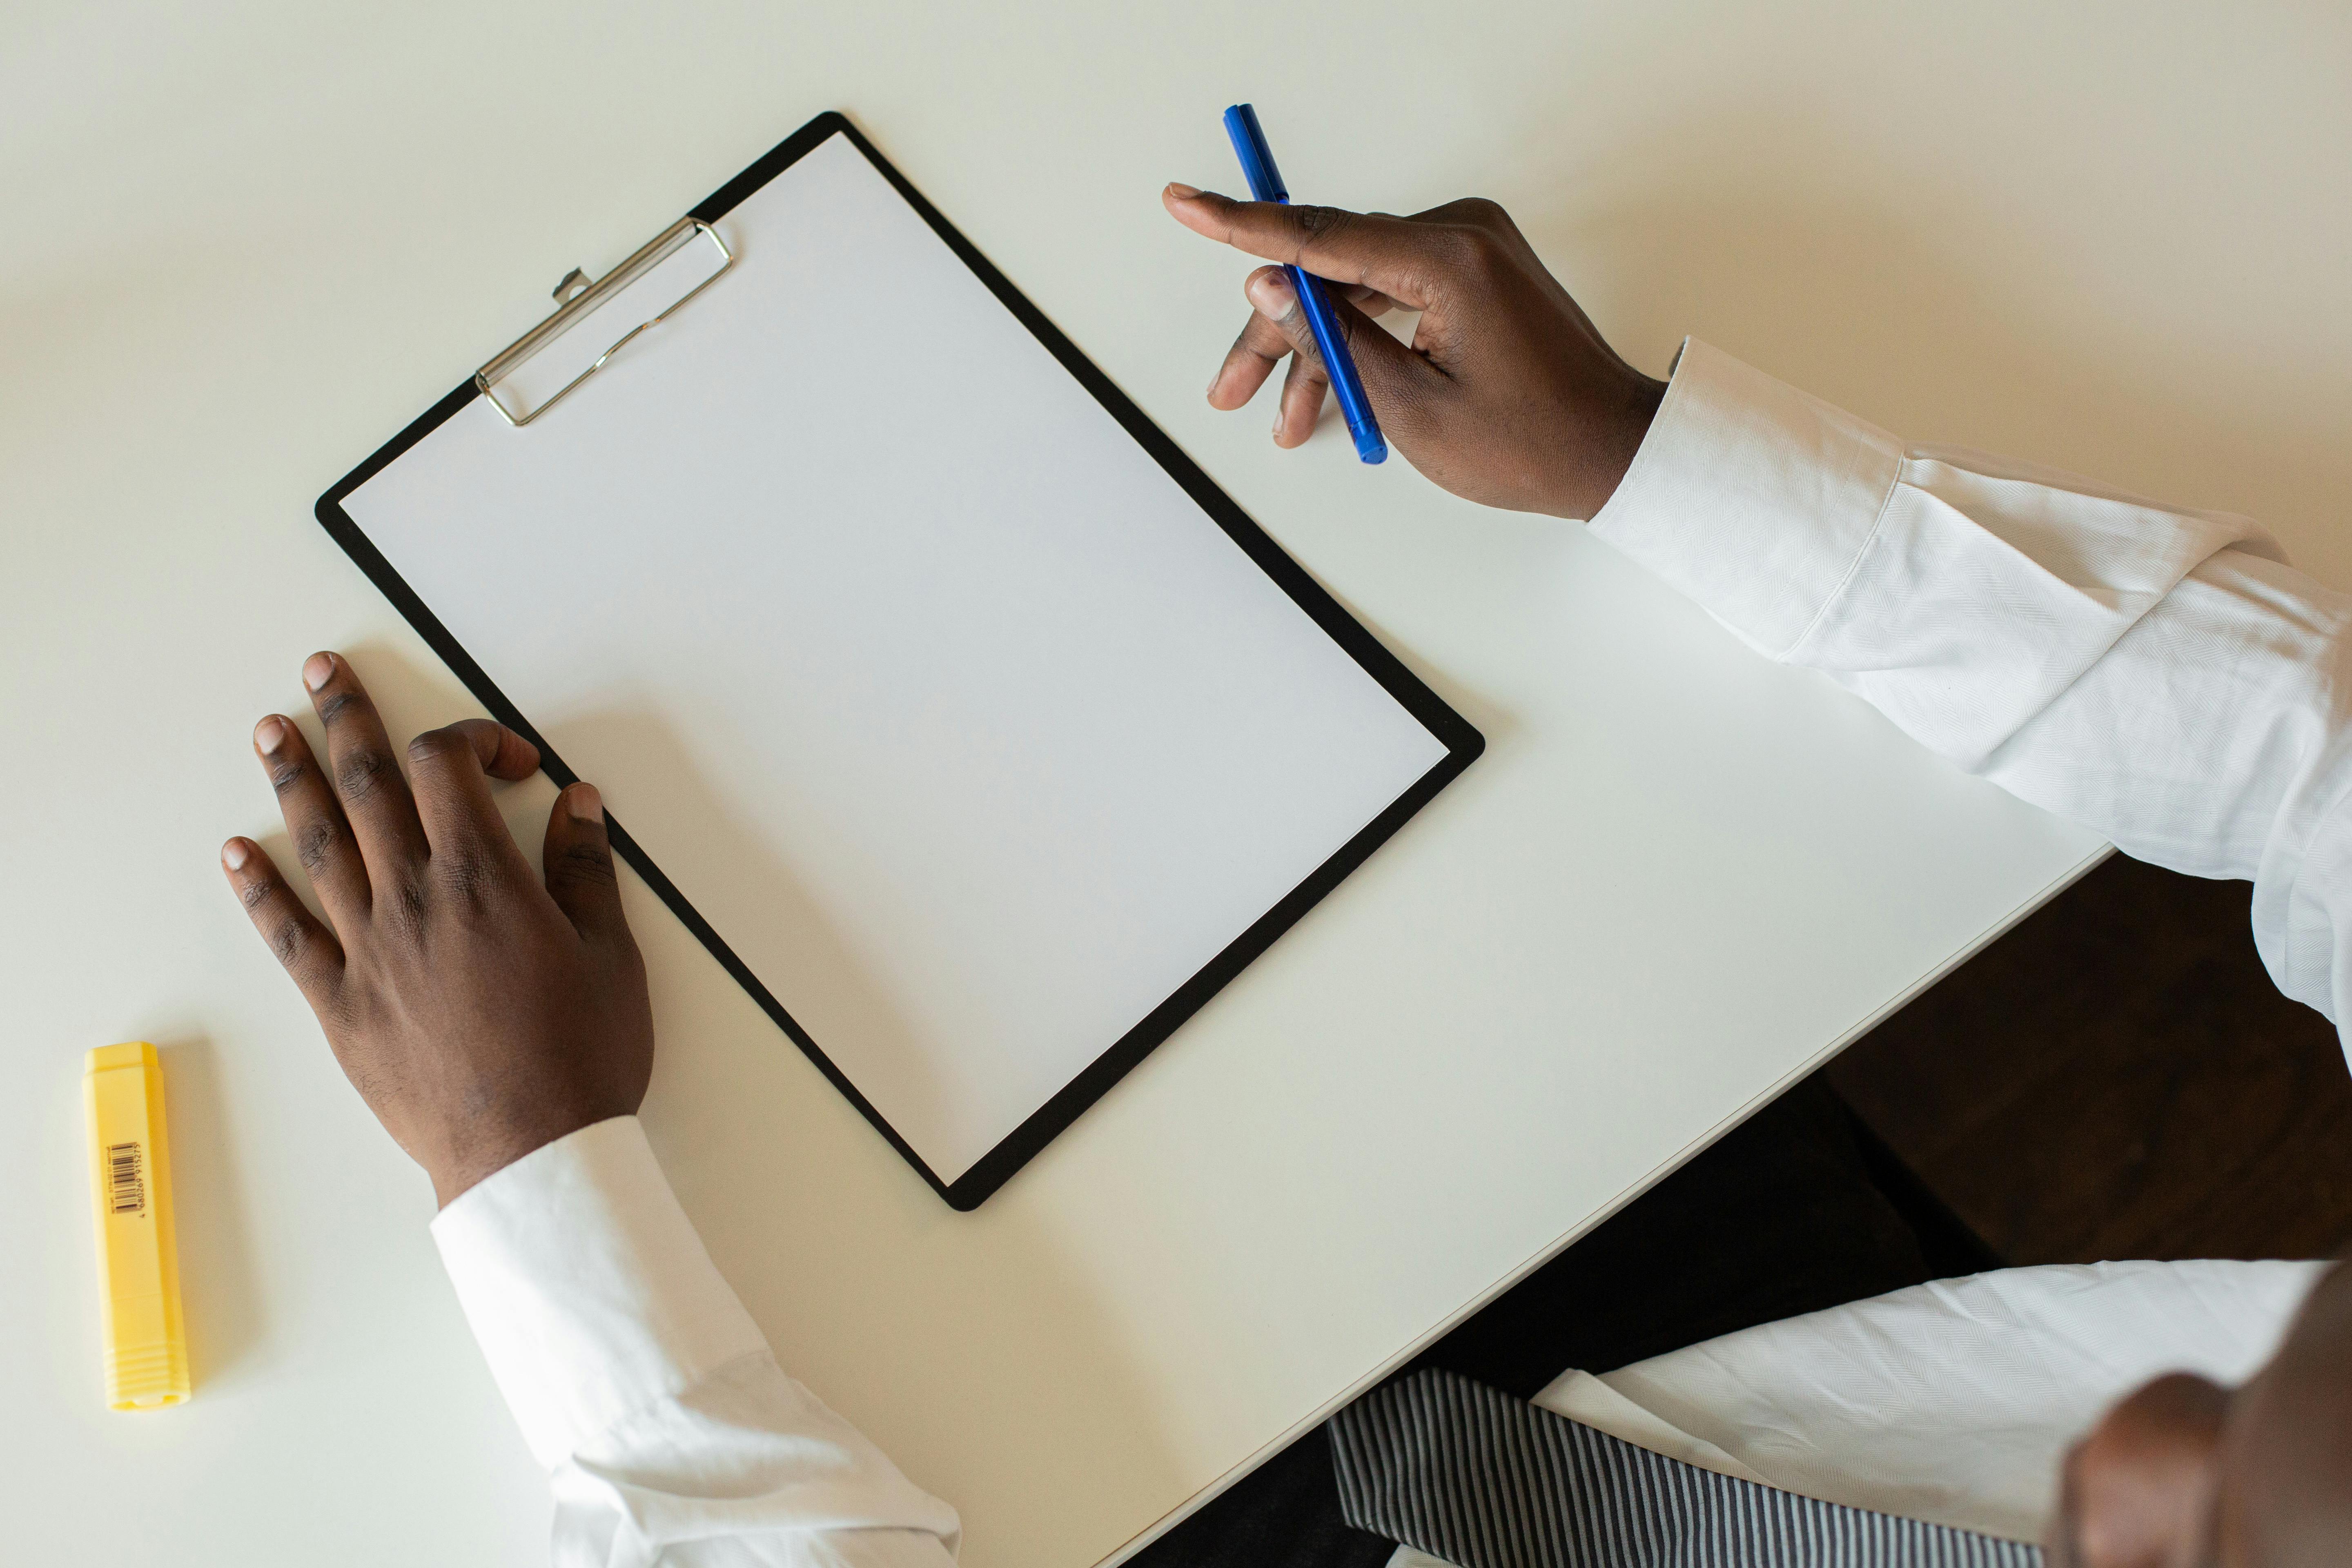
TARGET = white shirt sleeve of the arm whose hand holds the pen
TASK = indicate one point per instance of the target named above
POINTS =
(2149, 671)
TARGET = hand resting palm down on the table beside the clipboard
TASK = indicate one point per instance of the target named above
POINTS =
(479, 1010)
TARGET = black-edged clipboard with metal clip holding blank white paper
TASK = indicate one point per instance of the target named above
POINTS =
(984, 753)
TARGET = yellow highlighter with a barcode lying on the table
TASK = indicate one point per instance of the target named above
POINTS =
(131, 1177)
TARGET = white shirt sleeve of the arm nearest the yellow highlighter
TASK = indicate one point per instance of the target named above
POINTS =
(648, 1393)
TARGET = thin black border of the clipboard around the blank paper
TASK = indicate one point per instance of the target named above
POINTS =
(994, 1170)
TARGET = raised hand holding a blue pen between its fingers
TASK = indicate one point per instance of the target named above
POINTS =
(1506, 394)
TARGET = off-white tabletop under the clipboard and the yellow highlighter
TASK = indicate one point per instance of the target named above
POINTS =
(246, 243)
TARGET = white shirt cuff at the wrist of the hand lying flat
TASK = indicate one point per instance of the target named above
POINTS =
(587, 1287)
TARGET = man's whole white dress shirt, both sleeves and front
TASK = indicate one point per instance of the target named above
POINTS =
(2153, 674)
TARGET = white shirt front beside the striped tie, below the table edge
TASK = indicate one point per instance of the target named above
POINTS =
(1949, 1402)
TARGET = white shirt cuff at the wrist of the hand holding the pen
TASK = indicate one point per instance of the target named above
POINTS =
(1751, 497)
